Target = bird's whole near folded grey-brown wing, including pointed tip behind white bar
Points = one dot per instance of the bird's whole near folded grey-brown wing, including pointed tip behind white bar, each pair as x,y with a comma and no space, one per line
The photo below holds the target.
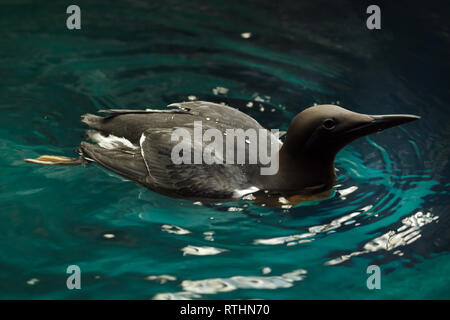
152,166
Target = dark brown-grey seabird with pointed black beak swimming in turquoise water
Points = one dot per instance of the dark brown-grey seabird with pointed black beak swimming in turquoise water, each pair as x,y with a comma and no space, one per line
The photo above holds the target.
139,145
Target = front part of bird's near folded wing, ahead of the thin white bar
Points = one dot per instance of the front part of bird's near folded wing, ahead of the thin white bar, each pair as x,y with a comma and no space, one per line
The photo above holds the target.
188,180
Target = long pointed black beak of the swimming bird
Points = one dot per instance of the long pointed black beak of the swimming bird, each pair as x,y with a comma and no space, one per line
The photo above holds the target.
381,122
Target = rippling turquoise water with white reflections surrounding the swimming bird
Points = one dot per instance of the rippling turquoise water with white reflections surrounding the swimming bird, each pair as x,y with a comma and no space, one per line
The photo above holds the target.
391,205
